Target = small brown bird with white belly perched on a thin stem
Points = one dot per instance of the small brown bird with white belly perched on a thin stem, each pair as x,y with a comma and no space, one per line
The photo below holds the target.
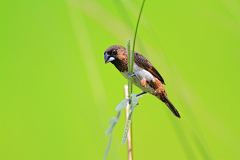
145,76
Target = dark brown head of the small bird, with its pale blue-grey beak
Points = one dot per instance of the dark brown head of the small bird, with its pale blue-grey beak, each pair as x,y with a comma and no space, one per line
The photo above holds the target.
115,53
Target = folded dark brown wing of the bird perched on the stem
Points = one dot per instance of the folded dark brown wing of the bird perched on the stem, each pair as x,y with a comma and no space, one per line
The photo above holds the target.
142,62
